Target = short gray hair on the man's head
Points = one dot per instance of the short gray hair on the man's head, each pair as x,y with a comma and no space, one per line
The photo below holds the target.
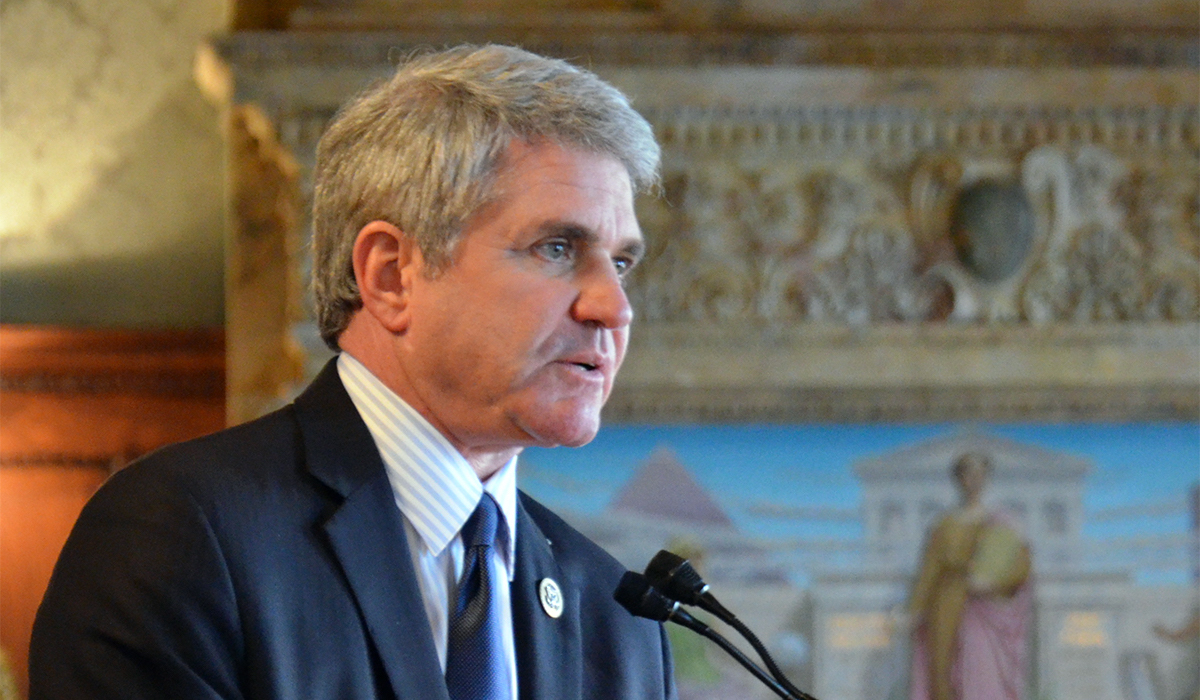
424,149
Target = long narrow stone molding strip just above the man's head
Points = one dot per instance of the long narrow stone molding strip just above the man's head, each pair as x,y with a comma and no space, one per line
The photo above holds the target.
250,52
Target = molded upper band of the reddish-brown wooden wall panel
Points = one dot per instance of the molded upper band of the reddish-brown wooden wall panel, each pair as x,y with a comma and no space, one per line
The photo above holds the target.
92,398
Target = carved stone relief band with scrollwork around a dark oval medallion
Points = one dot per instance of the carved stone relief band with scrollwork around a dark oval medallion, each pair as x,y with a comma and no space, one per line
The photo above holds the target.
997,231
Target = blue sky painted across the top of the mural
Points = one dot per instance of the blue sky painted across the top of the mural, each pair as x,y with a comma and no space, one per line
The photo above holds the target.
1142,472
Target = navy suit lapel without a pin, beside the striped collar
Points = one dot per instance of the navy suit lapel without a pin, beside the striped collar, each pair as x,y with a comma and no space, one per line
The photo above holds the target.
368,537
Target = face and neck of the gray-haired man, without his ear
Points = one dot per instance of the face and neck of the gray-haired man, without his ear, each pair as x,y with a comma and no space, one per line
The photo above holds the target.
518,343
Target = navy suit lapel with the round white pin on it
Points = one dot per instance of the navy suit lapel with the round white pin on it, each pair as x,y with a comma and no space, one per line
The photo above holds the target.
549,660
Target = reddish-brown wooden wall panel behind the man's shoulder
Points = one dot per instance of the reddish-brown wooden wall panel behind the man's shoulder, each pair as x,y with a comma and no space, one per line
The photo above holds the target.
75,406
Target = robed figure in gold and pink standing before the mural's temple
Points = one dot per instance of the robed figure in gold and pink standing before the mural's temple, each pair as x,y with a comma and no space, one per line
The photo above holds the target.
971,606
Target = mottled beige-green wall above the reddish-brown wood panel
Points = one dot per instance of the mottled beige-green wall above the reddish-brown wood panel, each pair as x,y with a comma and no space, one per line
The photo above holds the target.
112,167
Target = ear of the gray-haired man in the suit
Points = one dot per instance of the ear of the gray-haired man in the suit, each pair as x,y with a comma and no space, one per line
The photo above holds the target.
386,262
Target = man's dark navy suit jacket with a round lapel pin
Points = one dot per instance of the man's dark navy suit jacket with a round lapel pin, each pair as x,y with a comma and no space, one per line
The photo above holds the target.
269,561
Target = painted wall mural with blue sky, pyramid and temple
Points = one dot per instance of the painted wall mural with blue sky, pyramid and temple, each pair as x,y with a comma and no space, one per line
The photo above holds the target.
814,536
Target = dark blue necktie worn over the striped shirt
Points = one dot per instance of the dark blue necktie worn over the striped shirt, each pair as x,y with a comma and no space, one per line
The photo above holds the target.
476,667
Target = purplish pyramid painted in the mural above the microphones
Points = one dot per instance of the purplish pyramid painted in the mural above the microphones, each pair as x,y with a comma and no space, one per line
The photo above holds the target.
664,489
